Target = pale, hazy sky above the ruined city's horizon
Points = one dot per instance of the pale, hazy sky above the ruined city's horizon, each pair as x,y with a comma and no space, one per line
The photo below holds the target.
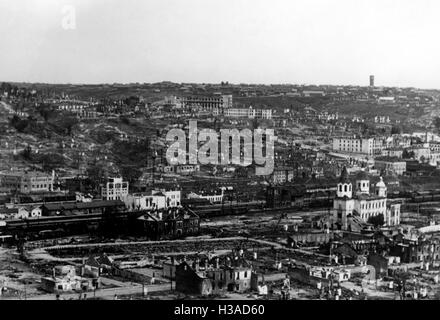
339,42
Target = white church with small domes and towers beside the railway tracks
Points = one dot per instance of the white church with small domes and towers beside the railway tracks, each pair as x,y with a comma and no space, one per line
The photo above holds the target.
357,202
